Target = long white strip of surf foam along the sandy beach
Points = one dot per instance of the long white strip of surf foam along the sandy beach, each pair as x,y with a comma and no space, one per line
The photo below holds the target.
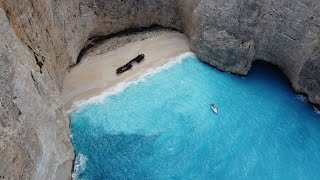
118,88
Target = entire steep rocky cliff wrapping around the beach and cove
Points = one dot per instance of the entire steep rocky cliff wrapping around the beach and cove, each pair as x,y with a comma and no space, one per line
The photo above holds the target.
41,38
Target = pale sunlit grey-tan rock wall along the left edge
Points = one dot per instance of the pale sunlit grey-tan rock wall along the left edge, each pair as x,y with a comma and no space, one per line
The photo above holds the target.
34,139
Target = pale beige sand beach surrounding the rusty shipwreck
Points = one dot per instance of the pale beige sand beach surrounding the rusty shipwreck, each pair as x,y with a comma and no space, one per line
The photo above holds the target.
97,71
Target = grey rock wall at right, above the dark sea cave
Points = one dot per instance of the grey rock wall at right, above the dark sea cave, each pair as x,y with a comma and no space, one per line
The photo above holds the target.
286,33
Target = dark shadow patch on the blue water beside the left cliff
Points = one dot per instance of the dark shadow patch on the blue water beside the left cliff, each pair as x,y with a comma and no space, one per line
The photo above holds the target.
117,156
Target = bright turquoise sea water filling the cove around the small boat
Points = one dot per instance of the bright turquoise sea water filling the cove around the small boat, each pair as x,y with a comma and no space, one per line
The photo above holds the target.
164,128
